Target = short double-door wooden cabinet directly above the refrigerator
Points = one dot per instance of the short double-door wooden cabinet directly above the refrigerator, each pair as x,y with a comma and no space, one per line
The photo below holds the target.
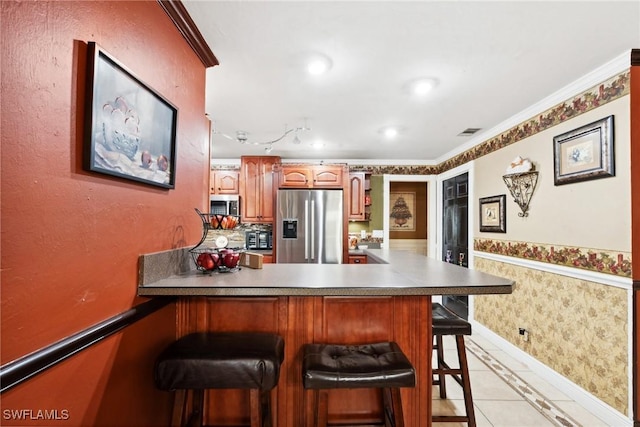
311,176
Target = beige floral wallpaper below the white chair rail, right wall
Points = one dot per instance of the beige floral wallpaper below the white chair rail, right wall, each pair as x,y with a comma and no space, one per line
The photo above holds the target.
577,328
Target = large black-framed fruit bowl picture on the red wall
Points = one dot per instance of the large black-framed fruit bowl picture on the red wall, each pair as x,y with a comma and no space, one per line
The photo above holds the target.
130,129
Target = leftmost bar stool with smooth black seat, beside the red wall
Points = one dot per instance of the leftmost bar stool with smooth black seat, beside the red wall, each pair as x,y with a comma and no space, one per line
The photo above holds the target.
221,360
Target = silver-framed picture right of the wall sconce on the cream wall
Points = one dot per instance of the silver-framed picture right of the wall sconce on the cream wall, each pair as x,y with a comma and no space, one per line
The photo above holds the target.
585,153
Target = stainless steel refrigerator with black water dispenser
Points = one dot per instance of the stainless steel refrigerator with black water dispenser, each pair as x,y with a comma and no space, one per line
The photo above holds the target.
309,226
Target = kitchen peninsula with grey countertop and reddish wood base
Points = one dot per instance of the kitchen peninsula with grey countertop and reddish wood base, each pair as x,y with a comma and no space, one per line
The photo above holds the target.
388,300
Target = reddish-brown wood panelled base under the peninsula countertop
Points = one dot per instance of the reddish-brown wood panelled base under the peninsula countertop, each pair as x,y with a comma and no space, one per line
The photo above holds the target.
307,319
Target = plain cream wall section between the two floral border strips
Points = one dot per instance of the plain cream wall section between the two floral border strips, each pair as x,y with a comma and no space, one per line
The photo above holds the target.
570,214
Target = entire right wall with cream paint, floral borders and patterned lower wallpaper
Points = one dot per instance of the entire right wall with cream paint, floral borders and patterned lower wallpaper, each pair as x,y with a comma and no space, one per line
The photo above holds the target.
578,328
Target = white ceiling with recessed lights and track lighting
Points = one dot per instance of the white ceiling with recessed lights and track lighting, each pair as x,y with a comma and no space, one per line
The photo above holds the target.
492,60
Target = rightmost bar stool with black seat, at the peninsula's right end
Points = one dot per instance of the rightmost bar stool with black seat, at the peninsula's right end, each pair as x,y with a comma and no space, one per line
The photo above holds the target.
446,322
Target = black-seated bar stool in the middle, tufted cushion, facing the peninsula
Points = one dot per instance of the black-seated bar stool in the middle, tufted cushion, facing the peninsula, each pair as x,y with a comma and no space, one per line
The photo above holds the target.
380,365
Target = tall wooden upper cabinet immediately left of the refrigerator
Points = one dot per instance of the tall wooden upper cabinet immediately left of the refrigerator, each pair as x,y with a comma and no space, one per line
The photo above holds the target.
256,188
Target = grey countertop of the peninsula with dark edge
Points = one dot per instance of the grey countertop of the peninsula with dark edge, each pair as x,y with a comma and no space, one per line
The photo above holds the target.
397,273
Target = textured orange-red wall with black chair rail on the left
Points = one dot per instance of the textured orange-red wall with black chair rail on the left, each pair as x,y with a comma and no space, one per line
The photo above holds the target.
71,238
